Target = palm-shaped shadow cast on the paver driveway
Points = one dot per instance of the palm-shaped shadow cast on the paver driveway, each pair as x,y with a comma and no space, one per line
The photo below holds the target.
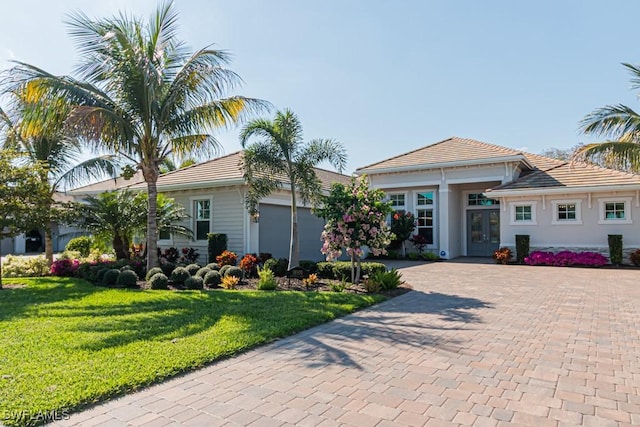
390,326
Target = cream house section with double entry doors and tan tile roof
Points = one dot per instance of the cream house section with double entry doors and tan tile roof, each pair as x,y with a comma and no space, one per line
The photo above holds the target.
471,197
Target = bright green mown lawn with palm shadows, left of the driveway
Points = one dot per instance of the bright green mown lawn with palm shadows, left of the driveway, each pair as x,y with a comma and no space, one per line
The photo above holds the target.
65,344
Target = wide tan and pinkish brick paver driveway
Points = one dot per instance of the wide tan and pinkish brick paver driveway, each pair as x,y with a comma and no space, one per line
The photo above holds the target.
475,344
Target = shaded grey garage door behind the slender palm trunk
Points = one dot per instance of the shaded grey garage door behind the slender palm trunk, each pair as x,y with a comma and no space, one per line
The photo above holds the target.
275,232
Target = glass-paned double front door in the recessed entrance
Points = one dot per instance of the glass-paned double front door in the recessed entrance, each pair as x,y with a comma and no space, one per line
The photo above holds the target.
483,232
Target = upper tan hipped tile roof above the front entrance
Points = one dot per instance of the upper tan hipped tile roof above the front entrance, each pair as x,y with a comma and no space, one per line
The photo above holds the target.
455,150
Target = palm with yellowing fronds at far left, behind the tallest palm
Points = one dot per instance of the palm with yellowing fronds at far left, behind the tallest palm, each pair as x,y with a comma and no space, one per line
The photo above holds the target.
34,129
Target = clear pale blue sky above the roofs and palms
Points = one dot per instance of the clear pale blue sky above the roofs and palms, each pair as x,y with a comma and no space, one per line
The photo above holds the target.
387,77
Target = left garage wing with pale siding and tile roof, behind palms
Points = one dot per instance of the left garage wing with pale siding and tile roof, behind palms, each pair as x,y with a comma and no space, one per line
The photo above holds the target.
213,193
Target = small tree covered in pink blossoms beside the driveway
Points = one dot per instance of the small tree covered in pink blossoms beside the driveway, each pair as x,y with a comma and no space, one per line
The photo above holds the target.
356,217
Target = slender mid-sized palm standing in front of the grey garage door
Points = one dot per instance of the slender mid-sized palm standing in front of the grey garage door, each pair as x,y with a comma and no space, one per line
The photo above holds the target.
281,154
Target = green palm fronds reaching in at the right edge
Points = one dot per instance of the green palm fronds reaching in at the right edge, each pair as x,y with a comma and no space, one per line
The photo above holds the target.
621,126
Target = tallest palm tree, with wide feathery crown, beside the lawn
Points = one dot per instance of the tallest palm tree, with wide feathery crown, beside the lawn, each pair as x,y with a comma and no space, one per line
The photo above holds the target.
143,95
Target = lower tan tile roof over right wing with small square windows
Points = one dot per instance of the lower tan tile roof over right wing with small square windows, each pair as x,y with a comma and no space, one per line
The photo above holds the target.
571,176
